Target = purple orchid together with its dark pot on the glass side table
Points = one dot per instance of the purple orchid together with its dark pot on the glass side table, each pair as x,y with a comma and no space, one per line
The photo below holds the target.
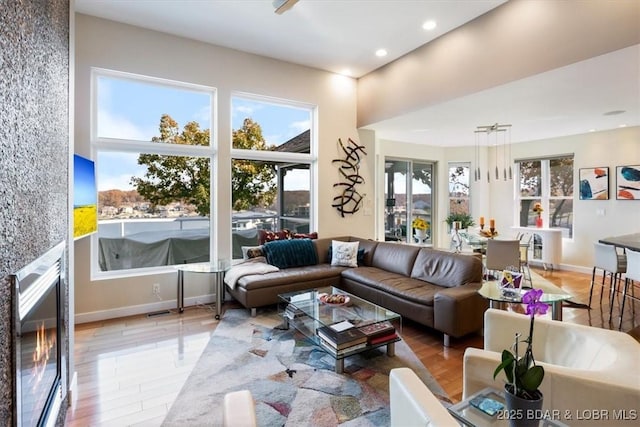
523,375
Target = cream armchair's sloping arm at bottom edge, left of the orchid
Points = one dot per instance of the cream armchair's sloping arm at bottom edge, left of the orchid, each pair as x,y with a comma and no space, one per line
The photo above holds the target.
413,404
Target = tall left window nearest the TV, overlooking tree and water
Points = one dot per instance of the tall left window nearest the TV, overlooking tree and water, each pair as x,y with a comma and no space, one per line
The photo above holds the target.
153,146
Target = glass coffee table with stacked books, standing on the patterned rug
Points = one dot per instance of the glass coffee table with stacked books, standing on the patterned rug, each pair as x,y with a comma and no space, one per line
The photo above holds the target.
306,312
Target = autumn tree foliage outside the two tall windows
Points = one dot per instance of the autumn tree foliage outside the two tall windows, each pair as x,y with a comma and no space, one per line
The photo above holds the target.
187,179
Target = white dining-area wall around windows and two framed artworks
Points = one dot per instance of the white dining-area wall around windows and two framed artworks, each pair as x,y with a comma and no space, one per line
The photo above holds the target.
497,198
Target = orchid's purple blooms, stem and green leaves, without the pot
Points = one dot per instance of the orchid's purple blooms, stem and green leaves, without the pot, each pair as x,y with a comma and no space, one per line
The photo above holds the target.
523,375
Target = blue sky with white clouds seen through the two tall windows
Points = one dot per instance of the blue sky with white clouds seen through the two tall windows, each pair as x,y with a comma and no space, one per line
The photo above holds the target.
132,110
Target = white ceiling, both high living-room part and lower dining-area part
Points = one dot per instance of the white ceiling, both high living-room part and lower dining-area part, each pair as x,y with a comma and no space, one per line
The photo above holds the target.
336,35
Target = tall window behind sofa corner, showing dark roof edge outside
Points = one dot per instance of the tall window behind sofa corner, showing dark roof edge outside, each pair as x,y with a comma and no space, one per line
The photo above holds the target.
272,166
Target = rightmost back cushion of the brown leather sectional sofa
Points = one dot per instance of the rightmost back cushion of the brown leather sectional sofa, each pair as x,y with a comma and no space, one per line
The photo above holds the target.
446,269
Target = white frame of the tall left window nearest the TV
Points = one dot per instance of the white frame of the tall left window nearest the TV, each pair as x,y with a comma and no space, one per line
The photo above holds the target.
100,144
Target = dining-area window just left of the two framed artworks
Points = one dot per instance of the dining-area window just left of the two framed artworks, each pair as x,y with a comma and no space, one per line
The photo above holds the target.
550,183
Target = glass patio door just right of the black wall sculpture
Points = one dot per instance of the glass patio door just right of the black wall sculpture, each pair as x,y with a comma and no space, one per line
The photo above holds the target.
408,195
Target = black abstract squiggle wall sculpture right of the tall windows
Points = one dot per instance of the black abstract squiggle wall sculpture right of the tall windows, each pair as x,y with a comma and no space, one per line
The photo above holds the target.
349,201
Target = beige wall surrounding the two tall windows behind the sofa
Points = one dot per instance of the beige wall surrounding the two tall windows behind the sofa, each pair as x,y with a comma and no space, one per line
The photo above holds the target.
106,44
